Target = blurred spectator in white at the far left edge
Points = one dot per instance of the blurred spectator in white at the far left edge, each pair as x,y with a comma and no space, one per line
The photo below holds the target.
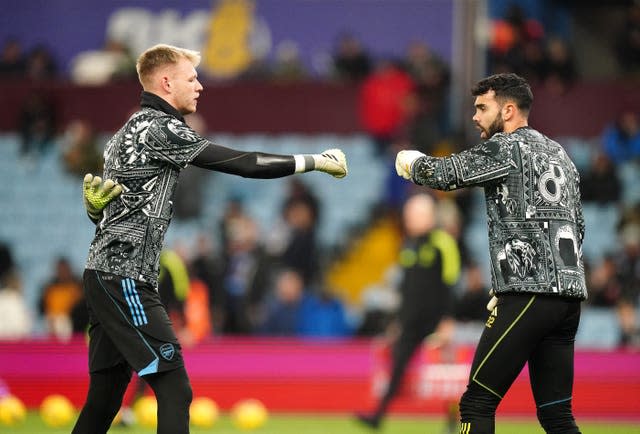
15,317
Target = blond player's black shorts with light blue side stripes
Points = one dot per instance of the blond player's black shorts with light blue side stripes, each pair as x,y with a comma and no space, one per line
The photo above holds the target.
128,324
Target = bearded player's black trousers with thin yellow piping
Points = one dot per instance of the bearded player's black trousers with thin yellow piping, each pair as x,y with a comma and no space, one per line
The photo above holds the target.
523,328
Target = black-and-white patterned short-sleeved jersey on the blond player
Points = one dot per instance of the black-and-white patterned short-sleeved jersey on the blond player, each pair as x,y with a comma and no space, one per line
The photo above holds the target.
145,157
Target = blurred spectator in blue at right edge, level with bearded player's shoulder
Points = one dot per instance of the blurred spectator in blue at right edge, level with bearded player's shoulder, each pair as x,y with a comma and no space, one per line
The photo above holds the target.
621,139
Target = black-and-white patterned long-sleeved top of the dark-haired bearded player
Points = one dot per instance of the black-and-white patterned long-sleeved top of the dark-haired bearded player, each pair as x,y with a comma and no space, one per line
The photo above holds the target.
533,204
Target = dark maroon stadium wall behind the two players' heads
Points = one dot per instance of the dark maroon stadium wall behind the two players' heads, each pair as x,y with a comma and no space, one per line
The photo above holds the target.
305,107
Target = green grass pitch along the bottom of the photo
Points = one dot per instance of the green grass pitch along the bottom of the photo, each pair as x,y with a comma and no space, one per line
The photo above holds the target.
338,424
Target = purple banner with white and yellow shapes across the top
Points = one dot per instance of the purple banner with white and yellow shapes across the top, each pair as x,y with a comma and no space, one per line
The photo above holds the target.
231,33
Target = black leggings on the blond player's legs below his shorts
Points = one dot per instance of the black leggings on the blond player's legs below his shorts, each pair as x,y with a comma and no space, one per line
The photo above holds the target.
107,387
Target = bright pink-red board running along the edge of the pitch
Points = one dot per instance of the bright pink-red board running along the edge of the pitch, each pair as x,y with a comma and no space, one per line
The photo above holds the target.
324,376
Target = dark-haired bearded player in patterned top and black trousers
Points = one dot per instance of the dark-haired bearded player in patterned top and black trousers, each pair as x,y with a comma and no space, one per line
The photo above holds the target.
536,228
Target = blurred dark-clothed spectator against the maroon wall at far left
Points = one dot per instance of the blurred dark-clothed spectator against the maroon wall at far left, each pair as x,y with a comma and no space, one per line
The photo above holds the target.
37,124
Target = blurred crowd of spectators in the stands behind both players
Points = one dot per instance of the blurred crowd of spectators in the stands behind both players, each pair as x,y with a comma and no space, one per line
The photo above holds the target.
273,284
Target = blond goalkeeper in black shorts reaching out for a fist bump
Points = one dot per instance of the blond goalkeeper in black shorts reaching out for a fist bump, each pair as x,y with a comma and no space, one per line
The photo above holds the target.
129,327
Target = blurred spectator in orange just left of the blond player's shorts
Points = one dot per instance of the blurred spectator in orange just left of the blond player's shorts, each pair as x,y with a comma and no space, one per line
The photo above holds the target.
59,296
